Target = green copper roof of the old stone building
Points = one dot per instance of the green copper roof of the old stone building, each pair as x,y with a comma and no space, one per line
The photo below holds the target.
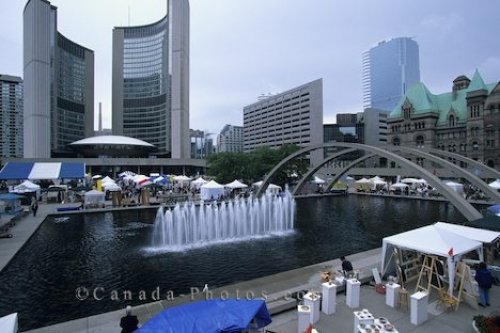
423,101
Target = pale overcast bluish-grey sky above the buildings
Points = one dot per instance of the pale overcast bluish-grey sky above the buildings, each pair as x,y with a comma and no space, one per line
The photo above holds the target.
243,48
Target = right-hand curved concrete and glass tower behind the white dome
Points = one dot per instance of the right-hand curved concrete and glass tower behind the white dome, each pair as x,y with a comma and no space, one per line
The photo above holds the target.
150,84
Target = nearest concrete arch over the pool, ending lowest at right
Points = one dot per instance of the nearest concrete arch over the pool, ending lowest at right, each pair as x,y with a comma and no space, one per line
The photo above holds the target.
458,201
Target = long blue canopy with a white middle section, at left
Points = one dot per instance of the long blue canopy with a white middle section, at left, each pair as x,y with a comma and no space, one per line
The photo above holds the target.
42,170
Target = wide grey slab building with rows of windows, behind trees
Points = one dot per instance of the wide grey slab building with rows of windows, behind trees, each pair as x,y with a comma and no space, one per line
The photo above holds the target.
292,117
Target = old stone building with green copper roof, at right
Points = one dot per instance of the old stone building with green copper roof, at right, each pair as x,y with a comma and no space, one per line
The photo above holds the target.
464,121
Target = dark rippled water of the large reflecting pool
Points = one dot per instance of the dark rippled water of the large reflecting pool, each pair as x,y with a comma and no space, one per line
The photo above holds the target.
107,254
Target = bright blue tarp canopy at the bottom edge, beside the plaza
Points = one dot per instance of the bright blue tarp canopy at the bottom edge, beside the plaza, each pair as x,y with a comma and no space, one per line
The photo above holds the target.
211,316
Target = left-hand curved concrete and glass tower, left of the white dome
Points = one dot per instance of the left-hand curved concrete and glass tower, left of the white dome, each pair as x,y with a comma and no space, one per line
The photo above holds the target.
58,85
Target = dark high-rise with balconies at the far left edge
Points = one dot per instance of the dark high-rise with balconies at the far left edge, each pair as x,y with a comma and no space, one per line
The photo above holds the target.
11,113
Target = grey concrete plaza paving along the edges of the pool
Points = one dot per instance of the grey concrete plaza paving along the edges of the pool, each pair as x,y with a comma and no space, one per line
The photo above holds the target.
275,286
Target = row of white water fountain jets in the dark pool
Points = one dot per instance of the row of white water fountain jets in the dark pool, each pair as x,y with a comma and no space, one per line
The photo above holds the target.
191,225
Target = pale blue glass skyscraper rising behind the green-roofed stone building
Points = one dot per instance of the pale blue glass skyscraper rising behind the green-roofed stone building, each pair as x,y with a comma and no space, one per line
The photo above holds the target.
389,70
